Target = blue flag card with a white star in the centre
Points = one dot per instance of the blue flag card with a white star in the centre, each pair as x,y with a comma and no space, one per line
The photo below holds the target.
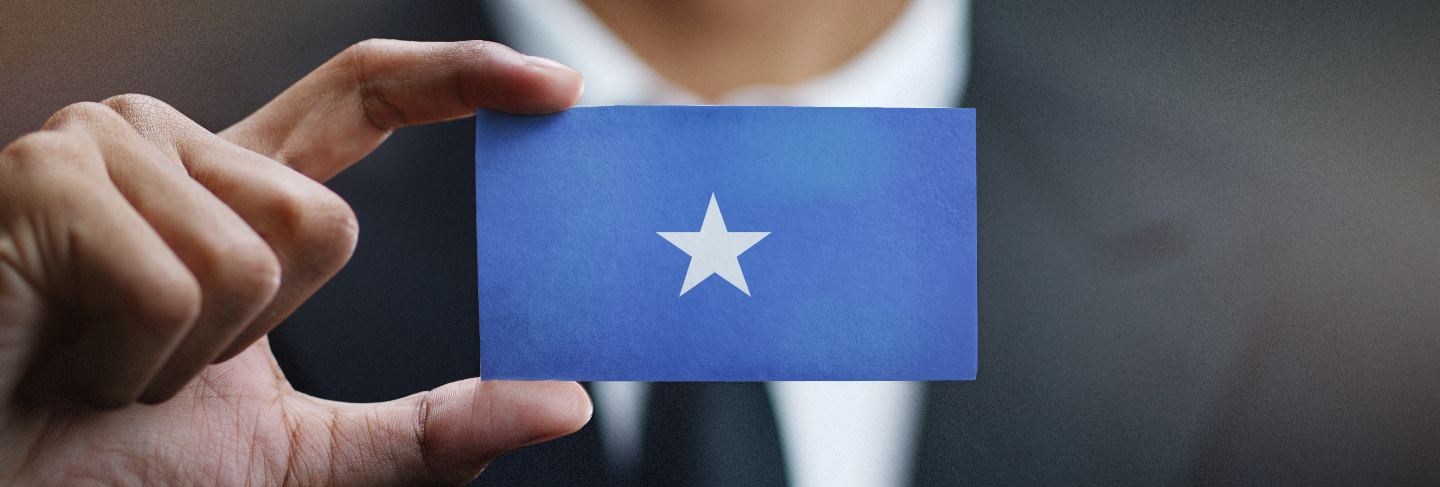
728,244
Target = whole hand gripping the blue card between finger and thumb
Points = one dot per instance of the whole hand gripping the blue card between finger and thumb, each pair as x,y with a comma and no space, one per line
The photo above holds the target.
145,259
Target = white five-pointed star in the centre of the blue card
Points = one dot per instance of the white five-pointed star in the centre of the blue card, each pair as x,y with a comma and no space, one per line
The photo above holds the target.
714,250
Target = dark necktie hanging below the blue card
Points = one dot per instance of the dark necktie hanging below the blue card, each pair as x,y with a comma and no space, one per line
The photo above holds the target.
711,436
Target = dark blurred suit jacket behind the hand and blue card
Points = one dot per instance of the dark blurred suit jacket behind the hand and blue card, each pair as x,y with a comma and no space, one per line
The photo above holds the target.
1209,250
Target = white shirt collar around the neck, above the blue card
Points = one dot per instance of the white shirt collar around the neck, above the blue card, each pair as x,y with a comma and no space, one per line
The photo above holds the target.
921,61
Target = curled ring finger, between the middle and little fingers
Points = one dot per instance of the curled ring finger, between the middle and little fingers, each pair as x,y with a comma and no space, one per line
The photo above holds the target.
237,270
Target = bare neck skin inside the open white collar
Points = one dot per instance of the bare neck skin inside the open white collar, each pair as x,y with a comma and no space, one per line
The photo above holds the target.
716,47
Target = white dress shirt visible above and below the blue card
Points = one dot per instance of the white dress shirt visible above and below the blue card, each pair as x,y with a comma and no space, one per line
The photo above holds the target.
834,433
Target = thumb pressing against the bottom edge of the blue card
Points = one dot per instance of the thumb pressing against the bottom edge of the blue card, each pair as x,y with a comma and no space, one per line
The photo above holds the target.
446,436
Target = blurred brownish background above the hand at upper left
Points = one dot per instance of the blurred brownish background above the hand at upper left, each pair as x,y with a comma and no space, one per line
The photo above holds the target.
214,61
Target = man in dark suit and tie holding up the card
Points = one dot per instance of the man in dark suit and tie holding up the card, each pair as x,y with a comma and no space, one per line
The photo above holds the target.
1206,256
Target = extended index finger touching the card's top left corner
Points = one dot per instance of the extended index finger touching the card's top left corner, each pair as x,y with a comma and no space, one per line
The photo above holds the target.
345,109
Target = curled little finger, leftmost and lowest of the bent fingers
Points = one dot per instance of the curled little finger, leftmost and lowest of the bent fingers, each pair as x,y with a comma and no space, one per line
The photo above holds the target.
123,298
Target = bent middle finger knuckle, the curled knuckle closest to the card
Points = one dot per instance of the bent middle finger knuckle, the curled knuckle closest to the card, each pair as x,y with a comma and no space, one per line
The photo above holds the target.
322,227
